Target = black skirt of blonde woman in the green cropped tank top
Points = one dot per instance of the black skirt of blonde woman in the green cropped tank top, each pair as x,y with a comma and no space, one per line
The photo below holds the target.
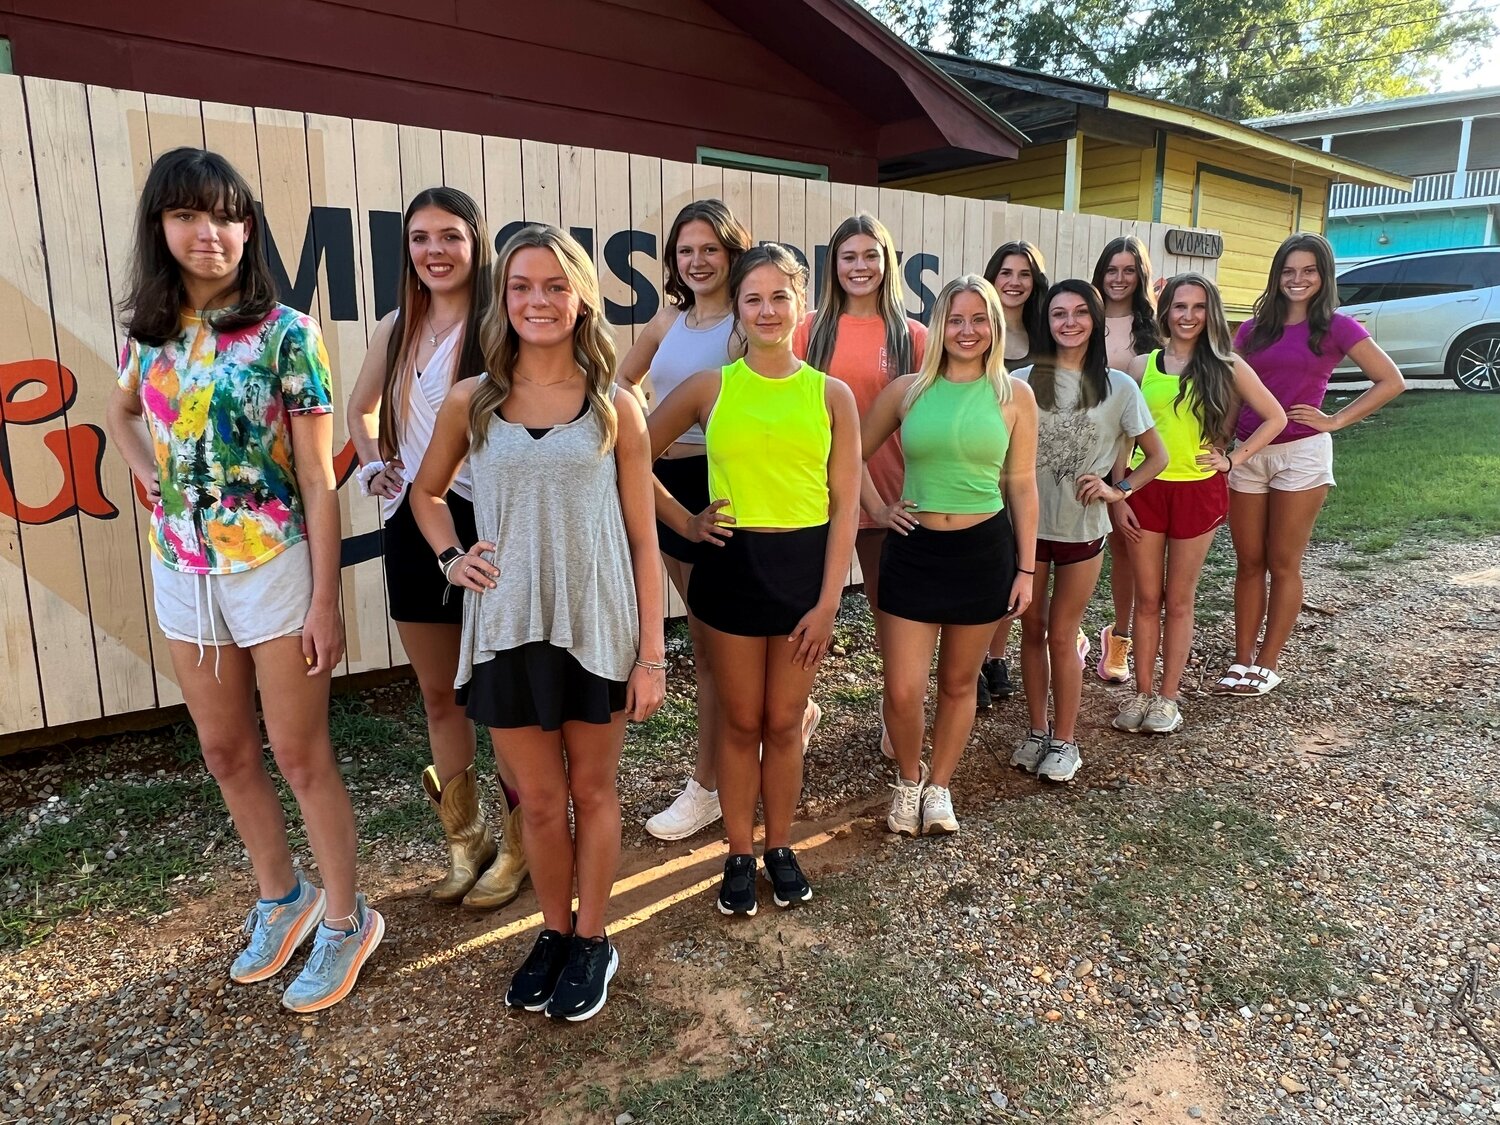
950,578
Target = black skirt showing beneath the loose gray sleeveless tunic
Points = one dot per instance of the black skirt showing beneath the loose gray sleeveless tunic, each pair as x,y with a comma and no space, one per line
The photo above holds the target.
539,685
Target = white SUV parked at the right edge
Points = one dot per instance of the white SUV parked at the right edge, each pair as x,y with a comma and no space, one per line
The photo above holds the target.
1436,313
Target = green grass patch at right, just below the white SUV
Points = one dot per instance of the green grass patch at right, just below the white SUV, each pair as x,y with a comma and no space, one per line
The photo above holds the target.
1423,469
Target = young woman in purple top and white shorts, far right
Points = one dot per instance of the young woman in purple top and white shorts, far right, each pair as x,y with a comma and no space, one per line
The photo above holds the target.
1294,343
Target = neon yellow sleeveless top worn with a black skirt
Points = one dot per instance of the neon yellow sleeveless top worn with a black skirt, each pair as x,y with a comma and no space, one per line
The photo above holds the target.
769,443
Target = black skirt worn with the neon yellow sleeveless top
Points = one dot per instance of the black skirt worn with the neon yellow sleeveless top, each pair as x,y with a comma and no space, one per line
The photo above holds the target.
760,583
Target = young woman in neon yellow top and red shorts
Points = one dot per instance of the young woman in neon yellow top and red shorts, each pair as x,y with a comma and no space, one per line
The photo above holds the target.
1193,388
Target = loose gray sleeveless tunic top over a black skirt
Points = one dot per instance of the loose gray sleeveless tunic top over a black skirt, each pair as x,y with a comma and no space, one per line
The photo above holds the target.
551,506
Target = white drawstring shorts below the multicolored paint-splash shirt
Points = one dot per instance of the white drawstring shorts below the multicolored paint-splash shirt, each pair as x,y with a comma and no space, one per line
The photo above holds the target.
242,610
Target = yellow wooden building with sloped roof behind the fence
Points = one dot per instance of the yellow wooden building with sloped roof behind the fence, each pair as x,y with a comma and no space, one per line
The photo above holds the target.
1103,152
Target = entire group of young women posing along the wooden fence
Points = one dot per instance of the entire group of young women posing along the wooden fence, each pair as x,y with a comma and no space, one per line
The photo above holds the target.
527,482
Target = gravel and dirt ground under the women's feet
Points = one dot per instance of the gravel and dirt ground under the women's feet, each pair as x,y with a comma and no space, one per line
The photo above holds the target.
1297,899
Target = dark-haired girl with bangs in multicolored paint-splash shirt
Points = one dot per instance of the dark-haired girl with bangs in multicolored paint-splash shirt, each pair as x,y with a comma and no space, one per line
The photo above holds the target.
224,415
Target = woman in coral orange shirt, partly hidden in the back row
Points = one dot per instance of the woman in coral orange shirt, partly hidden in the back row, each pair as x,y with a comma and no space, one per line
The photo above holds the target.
863,337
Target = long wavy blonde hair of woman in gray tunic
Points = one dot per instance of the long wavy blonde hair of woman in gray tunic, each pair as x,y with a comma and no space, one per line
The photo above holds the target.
593,344
